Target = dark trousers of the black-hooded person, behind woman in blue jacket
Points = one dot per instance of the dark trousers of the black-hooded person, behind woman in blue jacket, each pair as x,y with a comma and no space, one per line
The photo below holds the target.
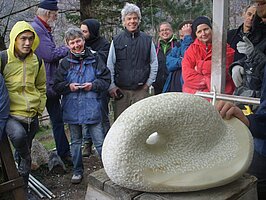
105,118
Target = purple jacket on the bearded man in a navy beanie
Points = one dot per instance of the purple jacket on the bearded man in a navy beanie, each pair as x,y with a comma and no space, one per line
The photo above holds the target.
51,54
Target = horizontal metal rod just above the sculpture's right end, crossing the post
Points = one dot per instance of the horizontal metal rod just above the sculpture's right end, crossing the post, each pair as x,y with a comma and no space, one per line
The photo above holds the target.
240,99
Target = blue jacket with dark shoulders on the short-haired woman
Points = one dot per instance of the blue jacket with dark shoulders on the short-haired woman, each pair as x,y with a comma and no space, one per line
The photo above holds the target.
82,107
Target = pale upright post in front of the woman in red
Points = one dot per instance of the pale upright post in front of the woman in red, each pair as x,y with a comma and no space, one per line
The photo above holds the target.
219,37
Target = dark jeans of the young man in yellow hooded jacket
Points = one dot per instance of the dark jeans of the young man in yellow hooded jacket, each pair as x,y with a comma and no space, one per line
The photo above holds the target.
21,135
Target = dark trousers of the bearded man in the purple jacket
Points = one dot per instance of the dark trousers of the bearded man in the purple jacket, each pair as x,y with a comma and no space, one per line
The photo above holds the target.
54,109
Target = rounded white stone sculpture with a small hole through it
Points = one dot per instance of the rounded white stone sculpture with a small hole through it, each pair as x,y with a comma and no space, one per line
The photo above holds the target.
175,142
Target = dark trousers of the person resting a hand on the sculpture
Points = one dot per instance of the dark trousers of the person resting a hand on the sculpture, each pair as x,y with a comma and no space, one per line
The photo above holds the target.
258,169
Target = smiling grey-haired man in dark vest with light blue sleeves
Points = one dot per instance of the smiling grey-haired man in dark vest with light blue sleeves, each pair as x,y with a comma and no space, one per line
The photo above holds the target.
132,61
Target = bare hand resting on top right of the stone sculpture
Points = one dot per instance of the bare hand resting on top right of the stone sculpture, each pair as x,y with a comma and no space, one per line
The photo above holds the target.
228,110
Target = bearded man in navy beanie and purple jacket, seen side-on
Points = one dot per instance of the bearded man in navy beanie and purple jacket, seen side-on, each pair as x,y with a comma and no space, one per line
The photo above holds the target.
43,24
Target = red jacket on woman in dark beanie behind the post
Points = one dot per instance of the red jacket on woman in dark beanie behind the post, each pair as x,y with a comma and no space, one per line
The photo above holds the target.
196,68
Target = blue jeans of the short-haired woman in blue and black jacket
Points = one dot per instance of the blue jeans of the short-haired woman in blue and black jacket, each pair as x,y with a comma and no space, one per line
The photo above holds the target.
76,142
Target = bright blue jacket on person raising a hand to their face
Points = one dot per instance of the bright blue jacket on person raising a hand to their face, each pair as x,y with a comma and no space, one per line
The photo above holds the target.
174,79
